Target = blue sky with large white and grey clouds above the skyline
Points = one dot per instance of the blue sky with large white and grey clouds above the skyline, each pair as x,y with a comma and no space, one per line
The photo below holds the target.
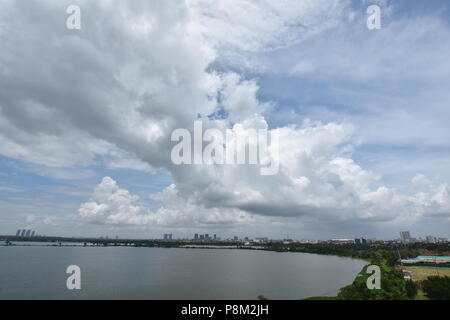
87,116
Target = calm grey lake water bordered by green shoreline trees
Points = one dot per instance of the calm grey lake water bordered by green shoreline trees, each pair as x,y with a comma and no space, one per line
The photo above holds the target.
152,273
